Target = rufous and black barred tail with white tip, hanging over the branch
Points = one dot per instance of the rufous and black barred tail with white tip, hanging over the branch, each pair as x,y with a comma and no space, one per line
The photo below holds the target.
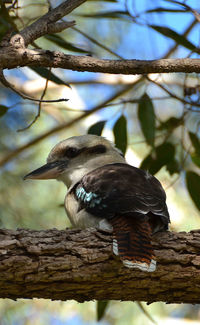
132,242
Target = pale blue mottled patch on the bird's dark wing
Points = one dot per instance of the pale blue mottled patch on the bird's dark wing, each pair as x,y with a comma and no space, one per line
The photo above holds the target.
91,199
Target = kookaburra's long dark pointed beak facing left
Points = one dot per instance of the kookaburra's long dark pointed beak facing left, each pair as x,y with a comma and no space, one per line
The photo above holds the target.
51,170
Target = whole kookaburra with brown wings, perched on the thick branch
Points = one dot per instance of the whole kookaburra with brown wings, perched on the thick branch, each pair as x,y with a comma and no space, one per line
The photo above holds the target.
105,192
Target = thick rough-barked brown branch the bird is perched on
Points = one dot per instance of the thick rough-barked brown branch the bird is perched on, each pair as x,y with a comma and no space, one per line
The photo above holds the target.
77,264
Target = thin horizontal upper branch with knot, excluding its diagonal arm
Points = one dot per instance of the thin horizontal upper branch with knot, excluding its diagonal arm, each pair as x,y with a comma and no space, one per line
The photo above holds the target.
19,56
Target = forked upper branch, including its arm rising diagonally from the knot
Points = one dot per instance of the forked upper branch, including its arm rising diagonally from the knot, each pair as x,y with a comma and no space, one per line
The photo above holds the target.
15,53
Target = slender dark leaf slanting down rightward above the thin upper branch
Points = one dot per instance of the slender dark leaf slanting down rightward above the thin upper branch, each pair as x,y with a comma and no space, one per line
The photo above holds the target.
180,39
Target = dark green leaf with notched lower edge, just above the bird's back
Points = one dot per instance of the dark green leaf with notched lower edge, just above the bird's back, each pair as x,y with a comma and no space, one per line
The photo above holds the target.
163,155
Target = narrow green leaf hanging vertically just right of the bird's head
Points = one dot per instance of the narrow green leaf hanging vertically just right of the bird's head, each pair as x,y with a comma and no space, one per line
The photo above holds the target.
120,134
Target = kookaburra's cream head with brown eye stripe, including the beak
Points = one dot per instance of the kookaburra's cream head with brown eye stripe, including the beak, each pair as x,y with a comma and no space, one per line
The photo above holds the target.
72,158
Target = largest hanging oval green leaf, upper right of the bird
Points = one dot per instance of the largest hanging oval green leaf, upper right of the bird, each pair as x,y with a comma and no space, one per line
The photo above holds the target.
146,117
